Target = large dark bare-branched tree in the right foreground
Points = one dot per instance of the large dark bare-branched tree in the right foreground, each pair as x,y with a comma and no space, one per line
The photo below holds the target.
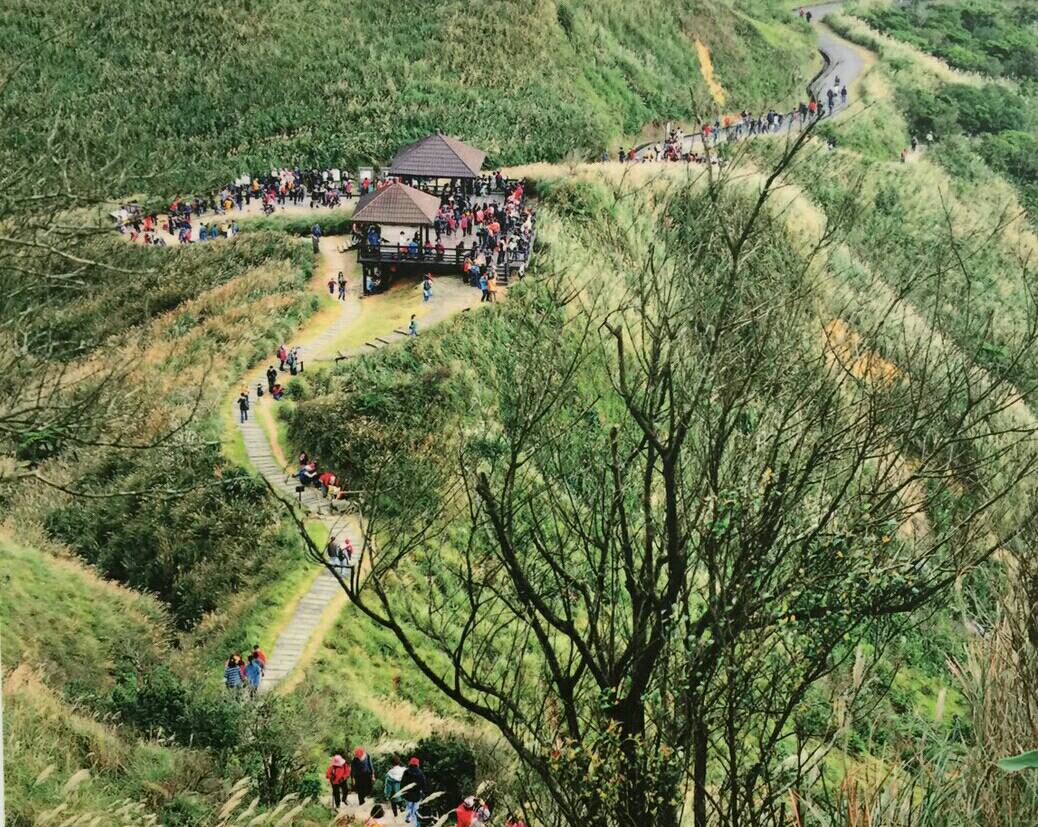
697,508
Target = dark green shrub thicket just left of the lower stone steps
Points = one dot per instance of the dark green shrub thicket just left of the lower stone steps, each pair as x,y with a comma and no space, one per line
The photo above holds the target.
195,550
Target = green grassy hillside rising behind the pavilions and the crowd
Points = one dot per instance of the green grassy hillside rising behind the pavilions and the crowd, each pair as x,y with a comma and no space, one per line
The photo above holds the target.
193,97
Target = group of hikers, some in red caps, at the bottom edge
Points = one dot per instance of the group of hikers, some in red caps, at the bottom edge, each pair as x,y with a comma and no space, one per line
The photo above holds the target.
404,790
